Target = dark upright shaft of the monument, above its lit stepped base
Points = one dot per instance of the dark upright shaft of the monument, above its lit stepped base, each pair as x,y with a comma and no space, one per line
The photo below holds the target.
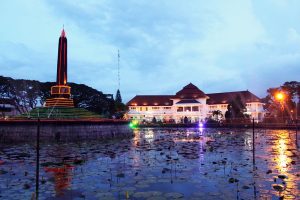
61,77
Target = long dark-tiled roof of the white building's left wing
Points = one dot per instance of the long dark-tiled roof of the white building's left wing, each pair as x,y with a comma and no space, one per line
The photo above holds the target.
151,100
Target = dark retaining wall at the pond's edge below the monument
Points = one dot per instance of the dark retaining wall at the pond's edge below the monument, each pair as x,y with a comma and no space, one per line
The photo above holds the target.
61,132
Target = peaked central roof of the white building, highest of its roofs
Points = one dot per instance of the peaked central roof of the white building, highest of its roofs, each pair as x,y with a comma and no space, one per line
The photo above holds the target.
190,91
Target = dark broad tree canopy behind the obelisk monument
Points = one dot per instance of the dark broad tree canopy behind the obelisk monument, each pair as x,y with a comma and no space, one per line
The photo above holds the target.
28,94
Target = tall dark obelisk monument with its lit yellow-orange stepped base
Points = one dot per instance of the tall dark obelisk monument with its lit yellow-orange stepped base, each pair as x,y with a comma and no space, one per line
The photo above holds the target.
61,92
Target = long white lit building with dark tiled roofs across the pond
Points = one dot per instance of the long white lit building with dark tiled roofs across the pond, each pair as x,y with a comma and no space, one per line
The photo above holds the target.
190,103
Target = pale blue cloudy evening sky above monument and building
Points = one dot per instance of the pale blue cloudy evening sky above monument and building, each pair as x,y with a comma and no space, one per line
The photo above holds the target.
164,44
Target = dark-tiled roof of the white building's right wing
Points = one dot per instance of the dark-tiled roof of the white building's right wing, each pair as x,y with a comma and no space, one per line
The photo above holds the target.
226,97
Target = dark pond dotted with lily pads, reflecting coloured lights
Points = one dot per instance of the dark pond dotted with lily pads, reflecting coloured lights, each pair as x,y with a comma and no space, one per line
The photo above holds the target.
174,163
